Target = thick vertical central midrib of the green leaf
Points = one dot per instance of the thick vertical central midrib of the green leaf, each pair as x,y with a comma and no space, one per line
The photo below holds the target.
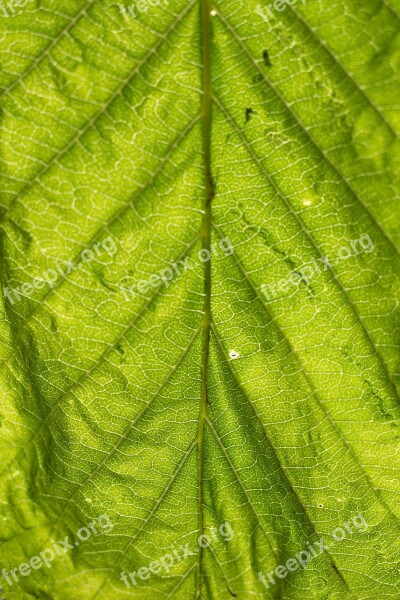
206,111
